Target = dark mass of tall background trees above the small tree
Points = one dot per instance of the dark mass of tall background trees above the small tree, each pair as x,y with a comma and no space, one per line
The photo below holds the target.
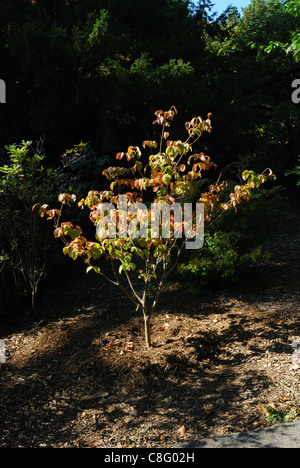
97,70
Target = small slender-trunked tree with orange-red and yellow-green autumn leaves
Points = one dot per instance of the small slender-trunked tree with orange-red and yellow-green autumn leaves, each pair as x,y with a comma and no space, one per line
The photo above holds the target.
143,220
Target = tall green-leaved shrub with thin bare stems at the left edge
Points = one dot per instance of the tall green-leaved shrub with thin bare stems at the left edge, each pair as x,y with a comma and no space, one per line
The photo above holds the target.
23,238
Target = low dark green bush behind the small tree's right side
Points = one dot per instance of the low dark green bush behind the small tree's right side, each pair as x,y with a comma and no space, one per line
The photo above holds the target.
235,241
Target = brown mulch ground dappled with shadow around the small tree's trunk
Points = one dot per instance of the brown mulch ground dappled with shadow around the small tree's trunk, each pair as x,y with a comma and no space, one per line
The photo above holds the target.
218,362
